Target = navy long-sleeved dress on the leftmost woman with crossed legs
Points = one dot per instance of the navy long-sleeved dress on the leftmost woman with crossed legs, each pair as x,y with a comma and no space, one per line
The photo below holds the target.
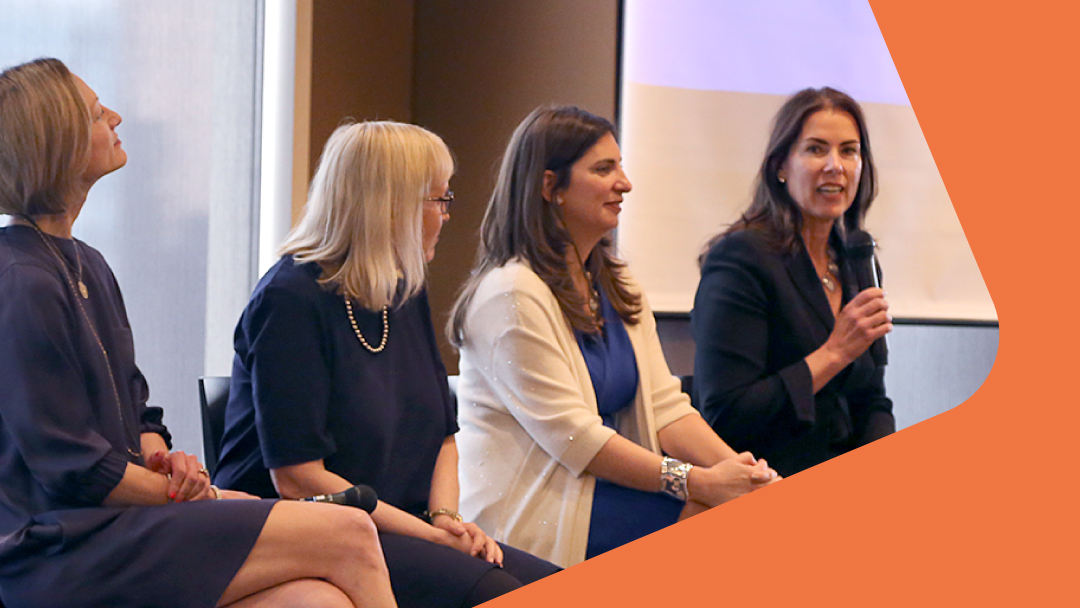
64,447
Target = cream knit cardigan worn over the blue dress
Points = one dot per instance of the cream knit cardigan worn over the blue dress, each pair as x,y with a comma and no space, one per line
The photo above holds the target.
530,423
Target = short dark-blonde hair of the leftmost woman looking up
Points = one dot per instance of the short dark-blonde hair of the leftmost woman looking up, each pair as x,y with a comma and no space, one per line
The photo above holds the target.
45,138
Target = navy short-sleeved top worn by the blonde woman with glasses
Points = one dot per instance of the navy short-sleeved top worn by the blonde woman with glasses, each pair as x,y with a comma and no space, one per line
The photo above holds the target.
305,389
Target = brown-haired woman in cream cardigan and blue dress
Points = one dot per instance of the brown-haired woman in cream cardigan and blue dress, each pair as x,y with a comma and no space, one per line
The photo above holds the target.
575,437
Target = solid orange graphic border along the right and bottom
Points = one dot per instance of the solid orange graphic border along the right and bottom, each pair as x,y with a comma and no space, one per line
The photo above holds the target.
971,507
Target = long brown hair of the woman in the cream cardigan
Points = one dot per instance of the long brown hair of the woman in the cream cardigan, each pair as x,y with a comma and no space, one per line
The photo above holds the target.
521,225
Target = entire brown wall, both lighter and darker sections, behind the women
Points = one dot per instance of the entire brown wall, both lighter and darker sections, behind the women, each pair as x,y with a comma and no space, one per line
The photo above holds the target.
469,71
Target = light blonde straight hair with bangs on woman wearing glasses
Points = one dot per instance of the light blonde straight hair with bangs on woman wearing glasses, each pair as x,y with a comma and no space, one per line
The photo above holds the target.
363,223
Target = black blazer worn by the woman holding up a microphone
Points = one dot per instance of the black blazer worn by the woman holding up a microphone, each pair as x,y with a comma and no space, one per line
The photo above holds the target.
758,315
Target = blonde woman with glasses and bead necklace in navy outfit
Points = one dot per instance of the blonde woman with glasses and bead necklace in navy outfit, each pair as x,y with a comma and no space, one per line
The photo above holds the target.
337,379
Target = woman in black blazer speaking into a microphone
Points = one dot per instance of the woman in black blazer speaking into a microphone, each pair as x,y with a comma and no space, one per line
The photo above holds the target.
782,332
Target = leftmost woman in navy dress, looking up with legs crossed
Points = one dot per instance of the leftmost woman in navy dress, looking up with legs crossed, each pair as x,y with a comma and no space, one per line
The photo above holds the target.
94,509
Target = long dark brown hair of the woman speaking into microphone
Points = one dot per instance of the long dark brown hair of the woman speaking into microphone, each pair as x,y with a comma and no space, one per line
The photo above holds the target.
773,211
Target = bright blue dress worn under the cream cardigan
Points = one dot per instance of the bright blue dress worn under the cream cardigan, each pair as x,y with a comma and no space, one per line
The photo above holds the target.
619,515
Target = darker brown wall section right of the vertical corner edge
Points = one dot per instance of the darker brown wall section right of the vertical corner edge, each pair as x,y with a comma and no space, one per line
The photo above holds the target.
481,67
